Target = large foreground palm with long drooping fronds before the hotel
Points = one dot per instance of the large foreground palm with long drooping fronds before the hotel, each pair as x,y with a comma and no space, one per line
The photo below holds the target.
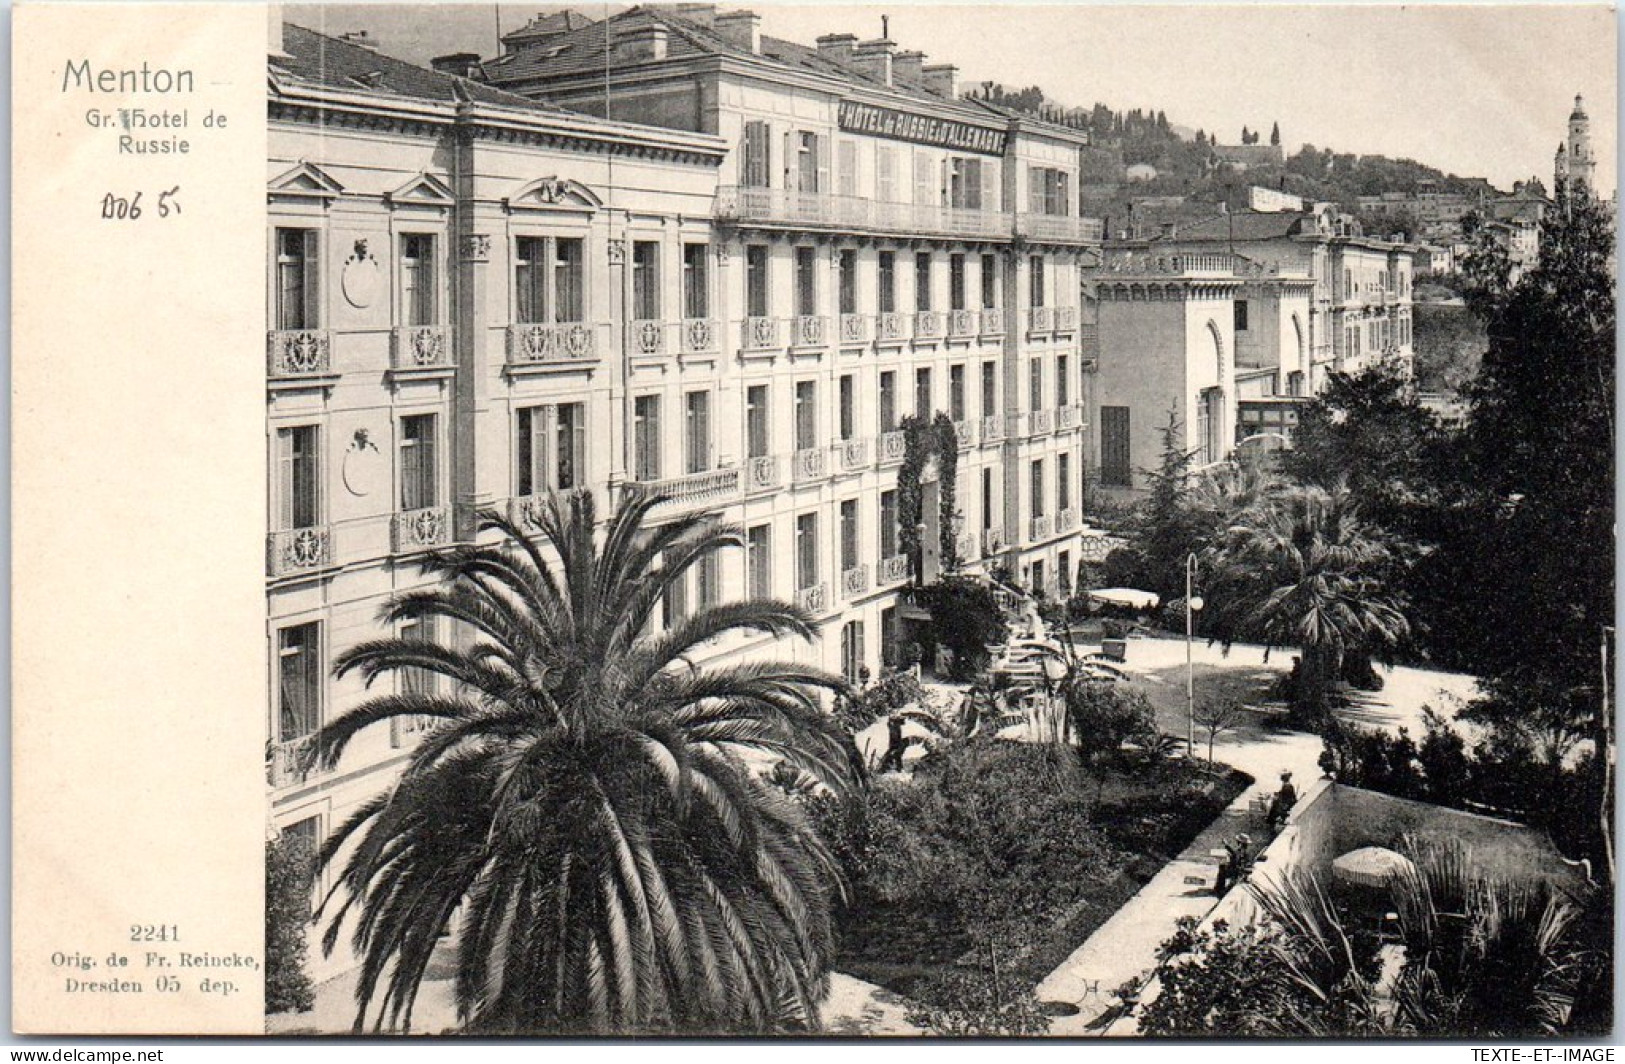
584,798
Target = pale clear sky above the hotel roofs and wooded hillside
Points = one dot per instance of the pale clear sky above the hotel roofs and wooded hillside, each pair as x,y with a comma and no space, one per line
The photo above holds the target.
1473,90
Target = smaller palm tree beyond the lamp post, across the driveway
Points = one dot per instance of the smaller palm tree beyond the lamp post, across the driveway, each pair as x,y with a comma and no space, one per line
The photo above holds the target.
1301,569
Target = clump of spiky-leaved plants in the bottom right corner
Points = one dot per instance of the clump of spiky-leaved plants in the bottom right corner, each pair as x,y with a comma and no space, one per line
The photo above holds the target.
1486,958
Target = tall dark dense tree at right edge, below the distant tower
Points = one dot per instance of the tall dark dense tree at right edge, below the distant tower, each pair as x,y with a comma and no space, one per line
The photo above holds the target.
1541,444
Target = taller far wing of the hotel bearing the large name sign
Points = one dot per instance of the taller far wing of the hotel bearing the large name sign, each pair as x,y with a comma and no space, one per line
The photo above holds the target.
883,248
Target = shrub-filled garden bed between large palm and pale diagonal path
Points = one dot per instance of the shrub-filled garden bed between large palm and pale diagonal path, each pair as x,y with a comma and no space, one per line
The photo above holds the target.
1003,855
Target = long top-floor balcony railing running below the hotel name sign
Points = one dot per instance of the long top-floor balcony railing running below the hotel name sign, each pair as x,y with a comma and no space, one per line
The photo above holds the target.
821,210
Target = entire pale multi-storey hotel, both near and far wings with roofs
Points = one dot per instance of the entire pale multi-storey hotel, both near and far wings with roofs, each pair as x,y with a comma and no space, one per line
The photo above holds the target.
477,298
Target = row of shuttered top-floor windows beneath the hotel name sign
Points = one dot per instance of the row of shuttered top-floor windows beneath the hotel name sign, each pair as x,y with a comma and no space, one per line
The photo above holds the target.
820,165
